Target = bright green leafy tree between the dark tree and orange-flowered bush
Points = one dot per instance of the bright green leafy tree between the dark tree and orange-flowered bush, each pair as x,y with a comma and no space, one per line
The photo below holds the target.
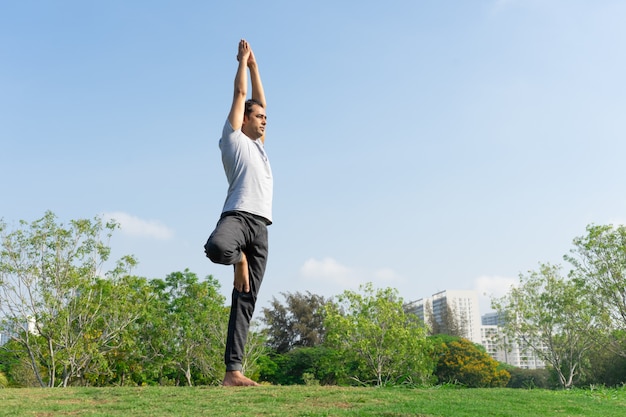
373,329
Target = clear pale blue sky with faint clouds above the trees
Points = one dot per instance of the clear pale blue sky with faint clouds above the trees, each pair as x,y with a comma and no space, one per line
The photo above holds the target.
421,145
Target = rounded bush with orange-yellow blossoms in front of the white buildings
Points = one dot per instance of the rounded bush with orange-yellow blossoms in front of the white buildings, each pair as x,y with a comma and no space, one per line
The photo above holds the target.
461,361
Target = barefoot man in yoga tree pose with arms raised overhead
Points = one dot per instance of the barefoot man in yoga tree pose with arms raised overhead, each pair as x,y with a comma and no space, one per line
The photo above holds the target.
240,237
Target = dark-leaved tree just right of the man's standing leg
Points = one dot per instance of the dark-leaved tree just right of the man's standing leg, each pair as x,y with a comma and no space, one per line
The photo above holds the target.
298,323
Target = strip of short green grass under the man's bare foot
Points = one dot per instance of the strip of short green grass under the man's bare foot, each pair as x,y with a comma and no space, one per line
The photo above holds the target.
310,402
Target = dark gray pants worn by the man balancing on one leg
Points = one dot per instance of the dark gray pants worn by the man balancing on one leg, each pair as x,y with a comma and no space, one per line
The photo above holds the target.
236,233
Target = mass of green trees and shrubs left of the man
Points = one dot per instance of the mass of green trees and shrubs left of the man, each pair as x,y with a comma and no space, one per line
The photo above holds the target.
73,325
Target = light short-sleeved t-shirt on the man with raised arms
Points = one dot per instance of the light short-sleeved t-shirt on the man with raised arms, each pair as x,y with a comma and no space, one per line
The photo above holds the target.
247,168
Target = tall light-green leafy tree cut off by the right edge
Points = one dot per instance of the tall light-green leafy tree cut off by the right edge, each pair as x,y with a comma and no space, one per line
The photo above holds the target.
599,259
